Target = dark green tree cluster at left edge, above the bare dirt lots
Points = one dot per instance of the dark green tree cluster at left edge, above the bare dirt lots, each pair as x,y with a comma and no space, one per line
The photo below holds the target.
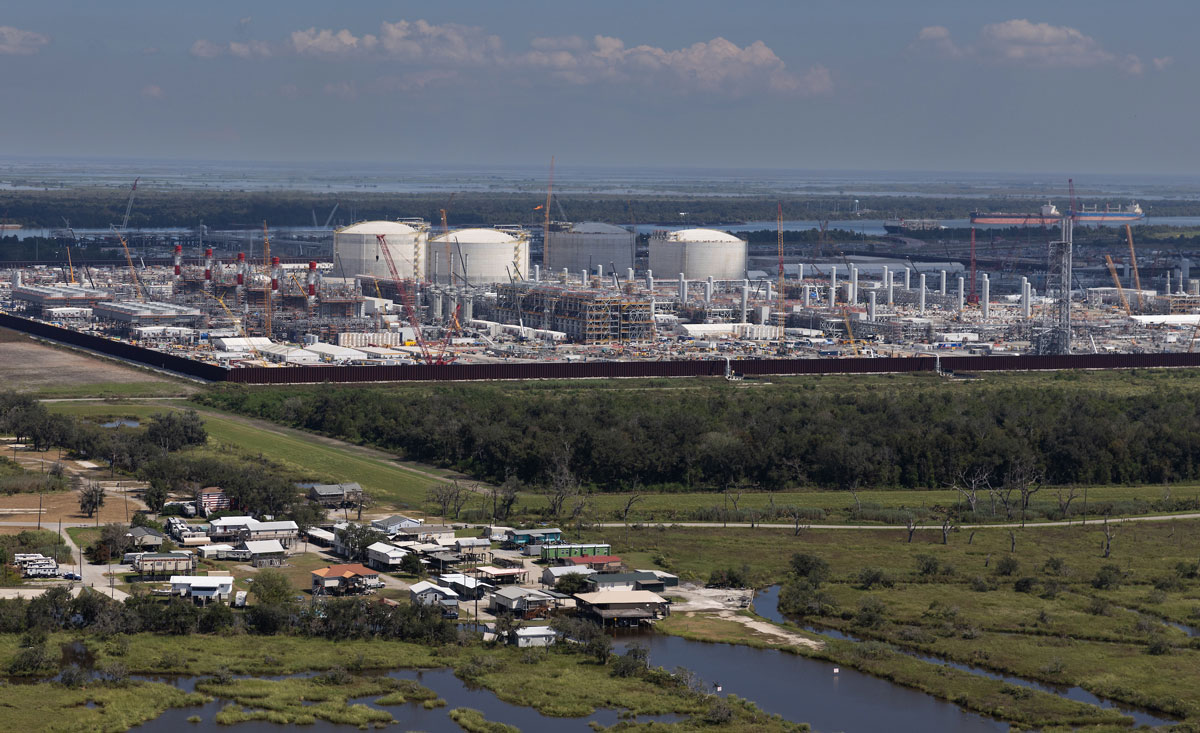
123,449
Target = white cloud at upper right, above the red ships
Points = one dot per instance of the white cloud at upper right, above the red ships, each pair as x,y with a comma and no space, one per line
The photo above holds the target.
1021,43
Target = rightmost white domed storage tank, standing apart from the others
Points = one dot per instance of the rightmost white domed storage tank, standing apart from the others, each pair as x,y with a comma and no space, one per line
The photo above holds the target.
698,254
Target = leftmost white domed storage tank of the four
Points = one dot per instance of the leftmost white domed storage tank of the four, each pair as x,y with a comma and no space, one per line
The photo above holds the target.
357,249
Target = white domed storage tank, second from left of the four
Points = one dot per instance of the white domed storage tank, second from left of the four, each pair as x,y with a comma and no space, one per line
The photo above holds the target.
482,256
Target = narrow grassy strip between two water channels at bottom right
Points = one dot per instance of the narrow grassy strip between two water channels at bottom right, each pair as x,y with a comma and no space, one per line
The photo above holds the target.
1019,706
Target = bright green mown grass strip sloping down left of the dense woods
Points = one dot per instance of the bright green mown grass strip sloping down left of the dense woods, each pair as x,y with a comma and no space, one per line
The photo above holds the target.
387,483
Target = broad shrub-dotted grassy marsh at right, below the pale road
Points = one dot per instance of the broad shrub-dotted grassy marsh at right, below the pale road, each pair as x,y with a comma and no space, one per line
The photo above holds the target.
1054,621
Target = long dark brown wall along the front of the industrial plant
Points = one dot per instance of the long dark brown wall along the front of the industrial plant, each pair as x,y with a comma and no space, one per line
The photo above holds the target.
595,370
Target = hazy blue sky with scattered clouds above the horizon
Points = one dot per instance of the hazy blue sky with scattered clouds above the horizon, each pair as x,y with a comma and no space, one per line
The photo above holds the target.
1023,87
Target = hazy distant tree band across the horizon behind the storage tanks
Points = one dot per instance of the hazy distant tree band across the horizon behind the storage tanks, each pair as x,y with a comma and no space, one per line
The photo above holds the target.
99,208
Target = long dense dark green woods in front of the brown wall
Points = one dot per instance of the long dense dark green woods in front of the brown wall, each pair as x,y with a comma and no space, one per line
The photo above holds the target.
719,440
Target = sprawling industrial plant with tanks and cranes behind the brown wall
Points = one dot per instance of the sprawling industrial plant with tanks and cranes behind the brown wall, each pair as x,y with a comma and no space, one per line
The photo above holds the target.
404,292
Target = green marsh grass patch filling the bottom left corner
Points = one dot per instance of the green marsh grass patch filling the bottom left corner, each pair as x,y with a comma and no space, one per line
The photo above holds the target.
98,708
